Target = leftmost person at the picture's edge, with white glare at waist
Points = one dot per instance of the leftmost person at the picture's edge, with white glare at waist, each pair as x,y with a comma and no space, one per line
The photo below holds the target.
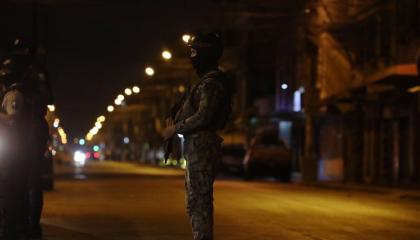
15,120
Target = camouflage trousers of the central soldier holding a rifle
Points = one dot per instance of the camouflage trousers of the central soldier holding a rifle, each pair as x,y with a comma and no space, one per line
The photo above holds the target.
202,153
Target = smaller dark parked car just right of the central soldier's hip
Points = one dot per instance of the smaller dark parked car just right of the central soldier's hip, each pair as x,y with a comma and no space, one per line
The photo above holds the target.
232,158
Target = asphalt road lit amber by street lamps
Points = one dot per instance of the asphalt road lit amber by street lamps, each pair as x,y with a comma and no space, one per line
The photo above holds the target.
124,201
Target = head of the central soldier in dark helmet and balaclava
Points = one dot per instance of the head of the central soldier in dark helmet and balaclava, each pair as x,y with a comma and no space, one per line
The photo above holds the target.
206,50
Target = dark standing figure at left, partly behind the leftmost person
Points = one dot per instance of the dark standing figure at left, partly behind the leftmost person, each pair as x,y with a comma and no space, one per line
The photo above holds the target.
39,96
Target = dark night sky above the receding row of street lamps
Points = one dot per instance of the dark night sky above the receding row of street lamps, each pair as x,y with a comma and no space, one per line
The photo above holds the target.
97,48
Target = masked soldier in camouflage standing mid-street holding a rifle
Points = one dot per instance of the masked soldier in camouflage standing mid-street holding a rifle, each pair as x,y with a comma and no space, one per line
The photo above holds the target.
204,111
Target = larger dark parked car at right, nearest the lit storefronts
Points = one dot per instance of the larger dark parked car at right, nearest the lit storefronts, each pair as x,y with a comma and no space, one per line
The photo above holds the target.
268,156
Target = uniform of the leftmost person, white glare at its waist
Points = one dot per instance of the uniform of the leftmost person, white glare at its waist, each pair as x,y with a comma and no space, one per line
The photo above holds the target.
14,121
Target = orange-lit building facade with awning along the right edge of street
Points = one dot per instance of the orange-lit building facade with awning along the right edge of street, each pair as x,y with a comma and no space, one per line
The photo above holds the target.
358,62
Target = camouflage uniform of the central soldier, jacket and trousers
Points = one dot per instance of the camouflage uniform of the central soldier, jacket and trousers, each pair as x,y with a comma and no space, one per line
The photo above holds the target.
198,120
